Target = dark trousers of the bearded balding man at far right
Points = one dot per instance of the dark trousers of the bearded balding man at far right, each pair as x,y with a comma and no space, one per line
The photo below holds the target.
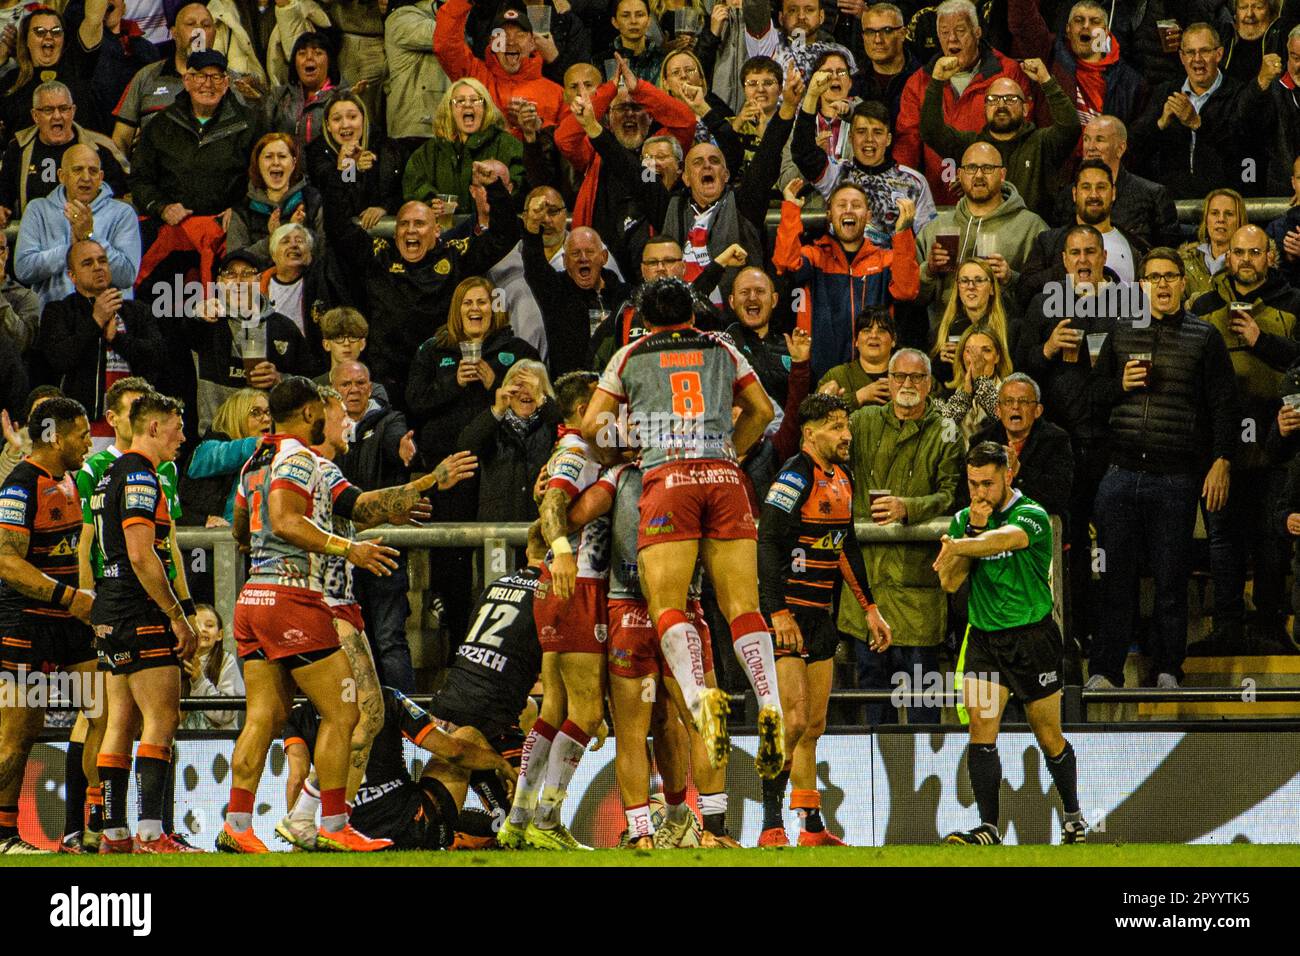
1238,531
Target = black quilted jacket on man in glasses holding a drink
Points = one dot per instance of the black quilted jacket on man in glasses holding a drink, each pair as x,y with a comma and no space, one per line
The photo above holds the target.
1188,416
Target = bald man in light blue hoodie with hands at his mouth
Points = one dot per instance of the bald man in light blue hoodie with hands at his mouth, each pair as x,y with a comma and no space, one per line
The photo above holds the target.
81,207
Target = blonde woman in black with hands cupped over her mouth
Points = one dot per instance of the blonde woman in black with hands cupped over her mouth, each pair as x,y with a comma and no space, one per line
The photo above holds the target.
513,440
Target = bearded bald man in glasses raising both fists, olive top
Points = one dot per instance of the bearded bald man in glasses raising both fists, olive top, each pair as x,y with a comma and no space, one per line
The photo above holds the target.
1033,157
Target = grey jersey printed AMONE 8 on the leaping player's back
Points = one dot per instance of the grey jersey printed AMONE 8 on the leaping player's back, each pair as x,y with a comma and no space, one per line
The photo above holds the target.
678,390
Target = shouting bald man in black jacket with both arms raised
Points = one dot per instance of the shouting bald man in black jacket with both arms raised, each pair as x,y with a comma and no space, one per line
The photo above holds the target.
410,282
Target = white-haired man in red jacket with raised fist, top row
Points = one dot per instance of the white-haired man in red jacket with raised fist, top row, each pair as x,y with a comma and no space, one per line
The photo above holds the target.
964,97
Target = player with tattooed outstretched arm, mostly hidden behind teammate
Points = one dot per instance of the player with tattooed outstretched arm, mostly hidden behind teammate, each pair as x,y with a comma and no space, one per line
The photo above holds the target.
349,624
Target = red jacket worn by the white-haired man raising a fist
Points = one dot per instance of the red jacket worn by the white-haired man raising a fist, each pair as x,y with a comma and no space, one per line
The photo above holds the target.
965,113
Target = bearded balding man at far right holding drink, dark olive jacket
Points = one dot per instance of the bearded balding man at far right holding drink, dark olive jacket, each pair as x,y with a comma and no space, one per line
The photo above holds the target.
1262,344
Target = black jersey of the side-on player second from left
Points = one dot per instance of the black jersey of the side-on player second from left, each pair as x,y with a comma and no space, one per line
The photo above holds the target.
129,494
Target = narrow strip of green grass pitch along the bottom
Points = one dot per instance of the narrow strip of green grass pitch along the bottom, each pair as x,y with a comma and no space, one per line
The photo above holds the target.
1093,855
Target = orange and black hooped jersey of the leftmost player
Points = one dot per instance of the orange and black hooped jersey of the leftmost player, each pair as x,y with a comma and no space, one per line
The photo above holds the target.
47,511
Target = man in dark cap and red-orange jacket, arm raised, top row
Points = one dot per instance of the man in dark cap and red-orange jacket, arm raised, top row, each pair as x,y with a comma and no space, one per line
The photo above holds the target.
513,68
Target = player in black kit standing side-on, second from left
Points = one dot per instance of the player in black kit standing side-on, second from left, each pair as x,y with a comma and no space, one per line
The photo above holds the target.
141,626
